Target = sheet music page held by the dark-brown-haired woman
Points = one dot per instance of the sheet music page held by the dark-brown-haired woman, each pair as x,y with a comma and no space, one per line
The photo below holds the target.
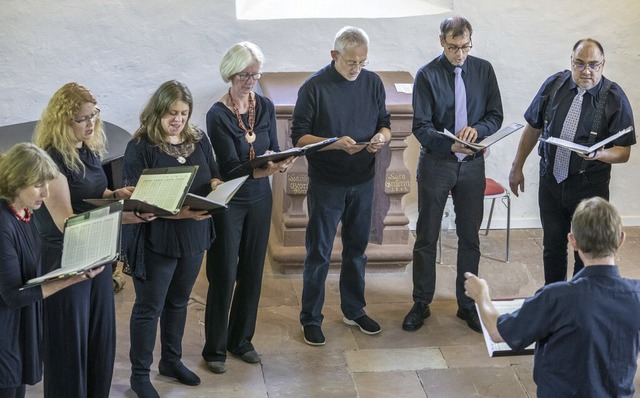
161,190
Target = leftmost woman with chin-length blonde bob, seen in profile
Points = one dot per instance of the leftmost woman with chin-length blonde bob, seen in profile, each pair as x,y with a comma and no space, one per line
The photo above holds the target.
25,174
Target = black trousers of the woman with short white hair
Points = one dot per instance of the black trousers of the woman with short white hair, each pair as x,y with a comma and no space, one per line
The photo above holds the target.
235,264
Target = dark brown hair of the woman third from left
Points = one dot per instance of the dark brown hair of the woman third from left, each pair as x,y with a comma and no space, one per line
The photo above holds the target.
159,104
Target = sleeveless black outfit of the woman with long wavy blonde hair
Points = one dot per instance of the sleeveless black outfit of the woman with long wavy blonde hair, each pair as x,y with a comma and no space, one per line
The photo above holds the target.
79,321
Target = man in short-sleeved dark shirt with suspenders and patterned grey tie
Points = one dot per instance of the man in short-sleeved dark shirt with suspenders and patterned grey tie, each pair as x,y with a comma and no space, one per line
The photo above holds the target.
582,106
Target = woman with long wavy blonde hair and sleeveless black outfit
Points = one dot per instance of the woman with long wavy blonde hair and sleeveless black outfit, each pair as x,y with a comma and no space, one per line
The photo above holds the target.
79,333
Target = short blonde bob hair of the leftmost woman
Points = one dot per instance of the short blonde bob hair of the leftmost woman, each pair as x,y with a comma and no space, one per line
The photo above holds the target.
24,165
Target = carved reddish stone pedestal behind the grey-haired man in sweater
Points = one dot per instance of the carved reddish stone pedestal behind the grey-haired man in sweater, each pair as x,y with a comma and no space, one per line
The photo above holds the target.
391,241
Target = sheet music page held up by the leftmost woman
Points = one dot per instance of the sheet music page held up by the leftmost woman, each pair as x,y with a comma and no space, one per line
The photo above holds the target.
89,241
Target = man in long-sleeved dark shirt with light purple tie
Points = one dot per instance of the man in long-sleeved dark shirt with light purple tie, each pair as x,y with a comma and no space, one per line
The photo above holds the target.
459,93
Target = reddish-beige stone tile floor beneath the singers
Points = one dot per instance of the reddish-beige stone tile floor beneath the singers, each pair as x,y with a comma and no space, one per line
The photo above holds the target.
442,359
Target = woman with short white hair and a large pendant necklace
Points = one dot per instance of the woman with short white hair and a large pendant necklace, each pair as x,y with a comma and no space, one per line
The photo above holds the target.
241,125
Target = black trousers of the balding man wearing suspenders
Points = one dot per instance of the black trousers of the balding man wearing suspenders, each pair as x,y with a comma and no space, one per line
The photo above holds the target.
557,203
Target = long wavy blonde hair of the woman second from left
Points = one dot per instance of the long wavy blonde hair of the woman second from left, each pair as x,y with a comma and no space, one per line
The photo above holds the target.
54,128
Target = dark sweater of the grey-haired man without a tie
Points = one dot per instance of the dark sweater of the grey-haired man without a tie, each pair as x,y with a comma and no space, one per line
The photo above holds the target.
329,105
